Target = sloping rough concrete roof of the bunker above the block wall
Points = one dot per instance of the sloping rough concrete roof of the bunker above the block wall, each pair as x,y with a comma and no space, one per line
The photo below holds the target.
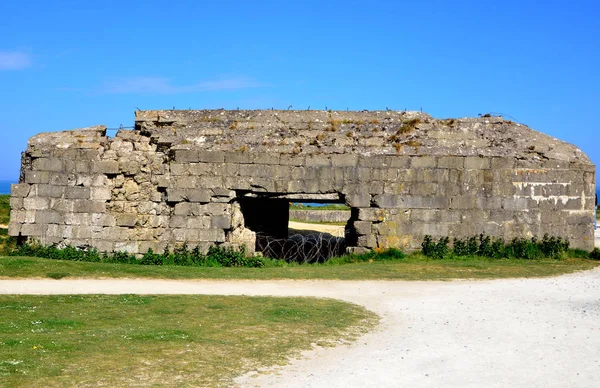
359,132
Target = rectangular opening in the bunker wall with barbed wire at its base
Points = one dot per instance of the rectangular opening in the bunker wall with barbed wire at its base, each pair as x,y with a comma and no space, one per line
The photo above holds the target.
299,231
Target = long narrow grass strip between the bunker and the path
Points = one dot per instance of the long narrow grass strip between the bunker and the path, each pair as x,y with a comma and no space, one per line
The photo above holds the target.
412,267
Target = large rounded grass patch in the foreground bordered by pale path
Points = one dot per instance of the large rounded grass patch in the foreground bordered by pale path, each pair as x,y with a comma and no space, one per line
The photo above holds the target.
129,340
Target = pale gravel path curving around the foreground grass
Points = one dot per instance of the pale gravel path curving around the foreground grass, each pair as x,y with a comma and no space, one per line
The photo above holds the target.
516,332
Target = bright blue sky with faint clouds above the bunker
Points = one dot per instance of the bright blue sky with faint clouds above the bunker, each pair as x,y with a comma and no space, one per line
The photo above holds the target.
69,64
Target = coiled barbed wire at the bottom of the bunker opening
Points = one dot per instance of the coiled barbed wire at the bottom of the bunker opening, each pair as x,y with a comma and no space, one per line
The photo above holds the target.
299,248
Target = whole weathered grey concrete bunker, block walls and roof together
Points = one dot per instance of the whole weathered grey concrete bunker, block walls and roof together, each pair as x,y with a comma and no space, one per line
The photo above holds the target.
194,177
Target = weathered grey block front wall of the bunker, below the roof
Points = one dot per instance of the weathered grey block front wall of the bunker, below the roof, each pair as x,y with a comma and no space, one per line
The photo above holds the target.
147,189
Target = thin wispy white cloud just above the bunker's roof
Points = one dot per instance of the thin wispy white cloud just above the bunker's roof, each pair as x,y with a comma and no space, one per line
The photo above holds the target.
160,85
